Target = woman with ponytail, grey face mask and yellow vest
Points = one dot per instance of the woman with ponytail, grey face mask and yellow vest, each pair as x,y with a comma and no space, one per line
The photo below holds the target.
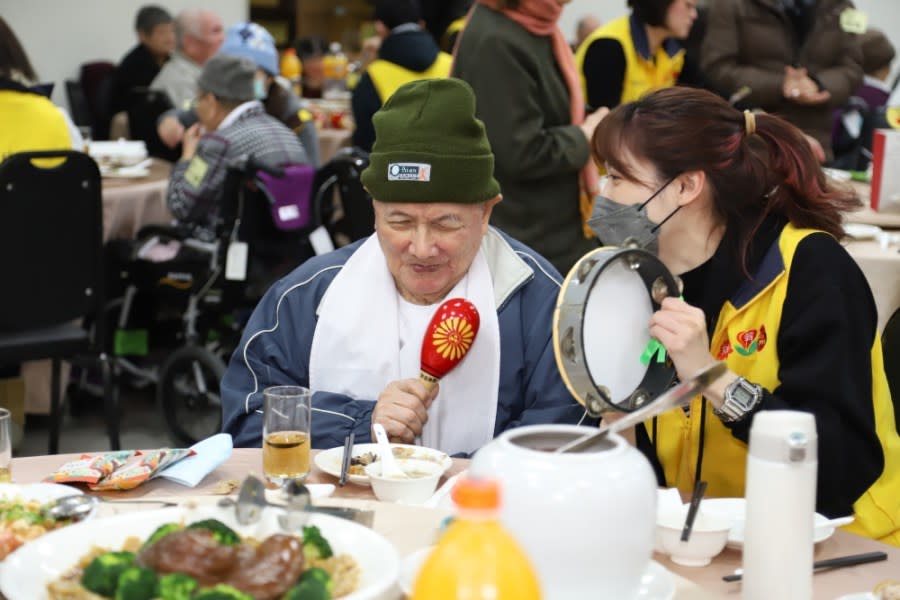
737,206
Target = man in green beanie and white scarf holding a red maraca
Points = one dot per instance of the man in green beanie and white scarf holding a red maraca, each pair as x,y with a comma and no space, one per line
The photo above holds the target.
350,324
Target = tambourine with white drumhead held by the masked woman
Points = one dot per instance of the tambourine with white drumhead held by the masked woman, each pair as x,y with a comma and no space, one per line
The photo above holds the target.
601,329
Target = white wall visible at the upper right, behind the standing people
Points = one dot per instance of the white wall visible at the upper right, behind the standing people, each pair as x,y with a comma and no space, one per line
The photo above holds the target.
883,14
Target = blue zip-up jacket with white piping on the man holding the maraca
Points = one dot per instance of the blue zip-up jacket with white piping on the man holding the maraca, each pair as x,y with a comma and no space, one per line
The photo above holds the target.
276,345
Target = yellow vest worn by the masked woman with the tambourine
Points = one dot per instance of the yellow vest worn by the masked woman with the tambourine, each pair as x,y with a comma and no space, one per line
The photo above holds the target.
745,338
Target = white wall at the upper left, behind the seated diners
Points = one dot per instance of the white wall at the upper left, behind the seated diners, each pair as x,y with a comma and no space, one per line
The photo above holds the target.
60,35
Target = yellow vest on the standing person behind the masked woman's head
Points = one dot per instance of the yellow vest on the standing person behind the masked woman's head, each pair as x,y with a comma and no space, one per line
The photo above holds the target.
641,75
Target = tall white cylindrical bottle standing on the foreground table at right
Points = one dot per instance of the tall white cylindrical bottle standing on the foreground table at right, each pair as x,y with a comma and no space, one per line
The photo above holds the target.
781,504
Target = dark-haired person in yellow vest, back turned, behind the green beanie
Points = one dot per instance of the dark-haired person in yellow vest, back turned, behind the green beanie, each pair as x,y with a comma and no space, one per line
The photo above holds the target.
407,53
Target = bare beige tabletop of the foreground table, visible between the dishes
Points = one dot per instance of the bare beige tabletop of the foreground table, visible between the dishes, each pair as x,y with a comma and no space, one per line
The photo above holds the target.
410,528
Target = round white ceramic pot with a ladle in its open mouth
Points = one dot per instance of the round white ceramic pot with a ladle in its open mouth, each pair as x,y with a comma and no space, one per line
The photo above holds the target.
586,520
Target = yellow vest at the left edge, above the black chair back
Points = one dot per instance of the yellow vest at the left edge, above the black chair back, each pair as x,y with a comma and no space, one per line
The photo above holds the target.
30,122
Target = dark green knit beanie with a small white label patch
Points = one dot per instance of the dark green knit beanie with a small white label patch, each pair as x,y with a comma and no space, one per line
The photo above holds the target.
429,147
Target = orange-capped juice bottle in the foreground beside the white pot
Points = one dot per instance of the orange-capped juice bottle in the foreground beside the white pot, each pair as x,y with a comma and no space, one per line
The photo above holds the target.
476,558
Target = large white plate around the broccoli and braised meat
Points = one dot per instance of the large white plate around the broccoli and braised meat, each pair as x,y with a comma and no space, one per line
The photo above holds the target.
25,573
